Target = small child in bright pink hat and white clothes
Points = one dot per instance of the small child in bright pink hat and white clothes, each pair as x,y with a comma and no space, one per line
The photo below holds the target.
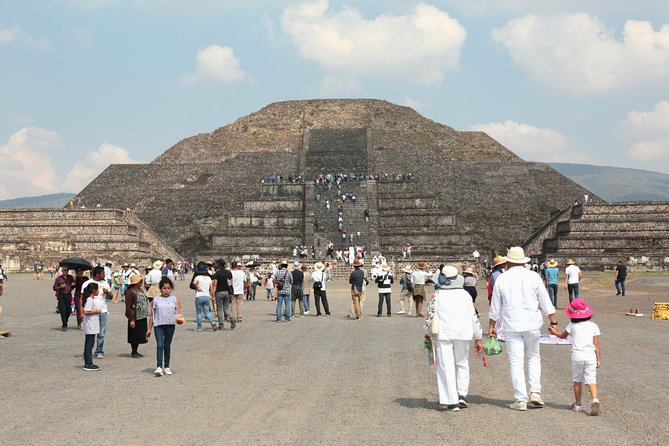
585,354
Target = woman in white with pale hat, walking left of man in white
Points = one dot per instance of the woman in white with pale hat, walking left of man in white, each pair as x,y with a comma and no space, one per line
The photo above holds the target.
455,326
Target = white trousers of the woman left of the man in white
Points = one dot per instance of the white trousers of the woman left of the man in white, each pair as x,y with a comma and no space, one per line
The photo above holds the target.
452,363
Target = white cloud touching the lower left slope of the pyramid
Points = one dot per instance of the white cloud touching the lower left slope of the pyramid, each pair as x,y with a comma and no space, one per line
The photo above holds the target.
92,164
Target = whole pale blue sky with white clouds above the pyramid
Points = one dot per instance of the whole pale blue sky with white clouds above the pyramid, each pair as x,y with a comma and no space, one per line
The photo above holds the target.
86,83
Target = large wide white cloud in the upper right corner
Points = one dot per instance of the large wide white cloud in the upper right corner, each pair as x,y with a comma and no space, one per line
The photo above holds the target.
579,53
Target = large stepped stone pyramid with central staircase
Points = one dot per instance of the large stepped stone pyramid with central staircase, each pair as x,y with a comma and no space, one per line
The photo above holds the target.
207,196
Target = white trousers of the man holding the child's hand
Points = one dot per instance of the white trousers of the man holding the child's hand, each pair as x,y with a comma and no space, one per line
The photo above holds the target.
524,346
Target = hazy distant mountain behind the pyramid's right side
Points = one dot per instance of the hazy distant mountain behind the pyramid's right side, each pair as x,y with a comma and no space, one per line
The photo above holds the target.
616,183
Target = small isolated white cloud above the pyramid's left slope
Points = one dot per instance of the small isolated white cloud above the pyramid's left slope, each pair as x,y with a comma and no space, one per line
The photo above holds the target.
215,64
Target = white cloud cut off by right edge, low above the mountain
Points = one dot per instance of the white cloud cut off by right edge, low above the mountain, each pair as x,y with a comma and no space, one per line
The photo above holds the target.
650,132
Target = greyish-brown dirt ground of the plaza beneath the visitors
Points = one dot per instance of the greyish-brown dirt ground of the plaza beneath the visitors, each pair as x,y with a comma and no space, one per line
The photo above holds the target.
318,380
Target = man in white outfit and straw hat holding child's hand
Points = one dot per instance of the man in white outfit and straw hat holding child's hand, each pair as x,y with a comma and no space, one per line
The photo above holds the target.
517,296
